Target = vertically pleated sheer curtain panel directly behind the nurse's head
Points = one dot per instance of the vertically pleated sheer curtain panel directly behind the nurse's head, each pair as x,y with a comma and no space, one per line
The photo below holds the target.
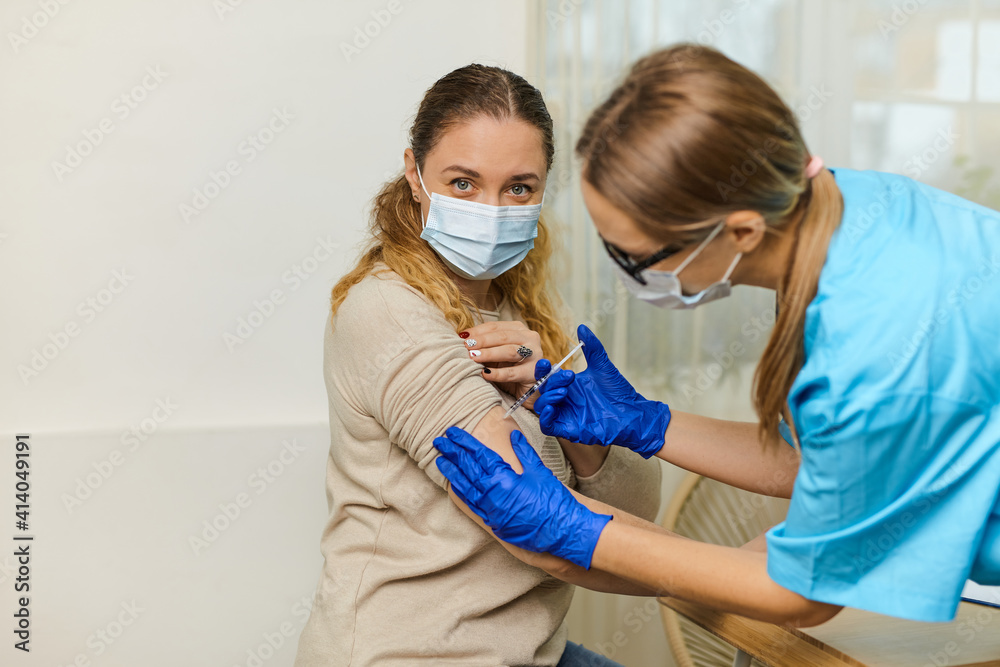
685,357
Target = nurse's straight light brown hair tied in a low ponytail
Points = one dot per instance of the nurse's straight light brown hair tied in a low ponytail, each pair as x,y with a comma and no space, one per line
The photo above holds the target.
691,136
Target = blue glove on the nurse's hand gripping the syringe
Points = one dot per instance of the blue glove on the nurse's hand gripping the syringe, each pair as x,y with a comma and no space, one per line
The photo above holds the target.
599,406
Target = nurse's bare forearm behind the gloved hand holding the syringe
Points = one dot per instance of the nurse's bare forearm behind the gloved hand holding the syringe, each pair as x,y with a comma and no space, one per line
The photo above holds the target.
730,452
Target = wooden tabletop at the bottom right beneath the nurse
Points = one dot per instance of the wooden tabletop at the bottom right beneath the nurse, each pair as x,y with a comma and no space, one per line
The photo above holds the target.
860,638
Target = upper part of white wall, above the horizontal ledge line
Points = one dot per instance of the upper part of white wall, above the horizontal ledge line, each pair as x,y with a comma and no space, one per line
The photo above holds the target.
190,282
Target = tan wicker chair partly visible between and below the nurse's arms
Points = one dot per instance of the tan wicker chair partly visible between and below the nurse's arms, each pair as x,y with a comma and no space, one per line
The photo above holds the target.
711,511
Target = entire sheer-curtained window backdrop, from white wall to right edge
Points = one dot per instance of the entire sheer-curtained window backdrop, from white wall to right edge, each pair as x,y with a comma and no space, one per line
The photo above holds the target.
907,86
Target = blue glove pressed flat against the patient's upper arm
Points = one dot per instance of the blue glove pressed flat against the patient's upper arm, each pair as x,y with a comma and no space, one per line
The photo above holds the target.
533,510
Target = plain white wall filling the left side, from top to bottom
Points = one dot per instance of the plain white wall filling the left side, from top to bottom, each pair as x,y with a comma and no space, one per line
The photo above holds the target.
160,336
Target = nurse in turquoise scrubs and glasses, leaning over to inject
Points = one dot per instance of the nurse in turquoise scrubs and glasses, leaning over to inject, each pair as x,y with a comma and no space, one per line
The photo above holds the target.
883,369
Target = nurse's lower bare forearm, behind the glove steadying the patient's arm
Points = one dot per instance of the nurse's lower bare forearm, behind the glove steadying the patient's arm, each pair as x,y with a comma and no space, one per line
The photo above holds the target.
724,578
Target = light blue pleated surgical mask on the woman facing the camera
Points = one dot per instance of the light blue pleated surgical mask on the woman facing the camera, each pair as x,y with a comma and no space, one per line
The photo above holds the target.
479,241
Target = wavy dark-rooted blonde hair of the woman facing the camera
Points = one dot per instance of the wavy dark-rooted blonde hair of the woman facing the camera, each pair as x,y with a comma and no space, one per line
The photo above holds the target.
396,224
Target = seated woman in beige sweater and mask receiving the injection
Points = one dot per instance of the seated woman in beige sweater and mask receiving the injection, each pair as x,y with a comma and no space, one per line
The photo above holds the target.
440,324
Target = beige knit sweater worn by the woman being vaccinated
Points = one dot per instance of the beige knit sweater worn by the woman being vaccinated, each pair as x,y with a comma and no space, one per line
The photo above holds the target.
408,578
